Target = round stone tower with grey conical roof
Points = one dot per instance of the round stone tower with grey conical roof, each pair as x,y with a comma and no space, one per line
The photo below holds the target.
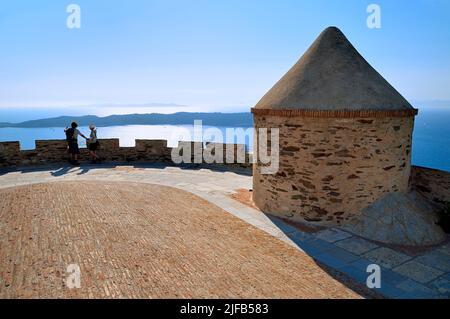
344,133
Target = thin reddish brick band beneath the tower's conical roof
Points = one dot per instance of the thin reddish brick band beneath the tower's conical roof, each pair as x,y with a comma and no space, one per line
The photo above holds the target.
336,113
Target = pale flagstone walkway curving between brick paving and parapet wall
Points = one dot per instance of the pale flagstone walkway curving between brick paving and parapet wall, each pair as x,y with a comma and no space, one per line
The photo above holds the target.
403,275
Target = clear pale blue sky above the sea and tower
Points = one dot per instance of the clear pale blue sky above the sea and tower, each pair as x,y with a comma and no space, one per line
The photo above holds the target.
208,53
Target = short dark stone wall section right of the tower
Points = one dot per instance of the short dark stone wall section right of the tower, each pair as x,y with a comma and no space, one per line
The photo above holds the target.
431,183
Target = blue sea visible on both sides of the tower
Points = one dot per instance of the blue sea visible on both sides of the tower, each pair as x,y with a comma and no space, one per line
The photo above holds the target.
431,138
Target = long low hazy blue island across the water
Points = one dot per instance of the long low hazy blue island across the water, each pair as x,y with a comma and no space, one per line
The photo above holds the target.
181,118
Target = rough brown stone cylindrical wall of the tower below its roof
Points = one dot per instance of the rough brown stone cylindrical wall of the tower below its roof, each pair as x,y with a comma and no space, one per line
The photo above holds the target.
332,168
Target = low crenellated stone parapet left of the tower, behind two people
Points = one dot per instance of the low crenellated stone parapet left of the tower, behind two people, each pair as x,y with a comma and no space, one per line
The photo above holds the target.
153,151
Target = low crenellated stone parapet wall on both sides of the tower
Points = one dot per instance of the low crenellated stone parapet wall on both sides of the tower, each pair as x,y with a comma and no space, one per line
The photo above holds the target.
431,183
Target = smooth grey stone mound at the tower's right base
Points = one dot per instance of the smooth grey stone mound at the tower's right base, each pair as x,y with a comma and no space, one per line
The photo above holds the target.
400,219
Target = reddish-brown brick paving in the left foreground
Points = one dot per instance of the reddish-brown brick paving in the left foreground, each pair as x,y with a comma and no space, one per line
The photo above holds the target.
134,240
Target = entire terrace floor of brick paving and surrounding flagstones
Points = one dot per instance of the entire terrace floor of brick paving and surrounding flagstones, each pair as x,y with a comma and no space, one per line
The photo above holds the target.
133,236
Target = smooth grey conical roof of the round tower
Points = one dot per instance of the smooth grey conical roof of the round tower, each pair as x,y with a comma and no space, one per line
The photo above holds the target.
332,76
